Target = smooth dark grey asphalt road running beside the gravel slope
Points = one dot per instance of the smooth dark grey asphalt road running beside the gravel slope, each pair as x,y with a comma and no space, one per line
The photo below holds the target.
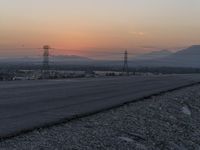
26,105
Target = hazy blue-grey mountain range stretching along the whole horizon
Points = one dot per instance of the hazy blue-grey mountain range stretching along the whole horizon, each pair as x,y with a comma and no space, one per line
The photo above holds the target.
188,57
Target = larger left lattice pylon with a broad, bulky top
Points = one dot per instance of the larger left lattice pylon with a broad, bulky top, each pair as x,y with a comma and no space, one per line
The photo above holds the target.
45,68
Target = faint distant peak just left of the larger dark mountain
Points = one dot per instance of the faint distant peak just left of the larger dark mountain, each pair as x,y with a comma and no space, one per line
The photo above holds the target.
153,55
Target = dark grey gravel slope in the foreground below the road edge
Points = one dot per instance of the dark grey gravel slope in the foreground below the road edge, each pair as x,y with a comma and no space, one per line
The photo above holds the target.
170,121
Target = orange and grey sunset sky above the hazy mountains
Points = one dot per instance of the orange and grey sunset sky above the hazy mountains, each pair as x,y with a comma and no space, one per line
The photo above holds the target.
97,25
